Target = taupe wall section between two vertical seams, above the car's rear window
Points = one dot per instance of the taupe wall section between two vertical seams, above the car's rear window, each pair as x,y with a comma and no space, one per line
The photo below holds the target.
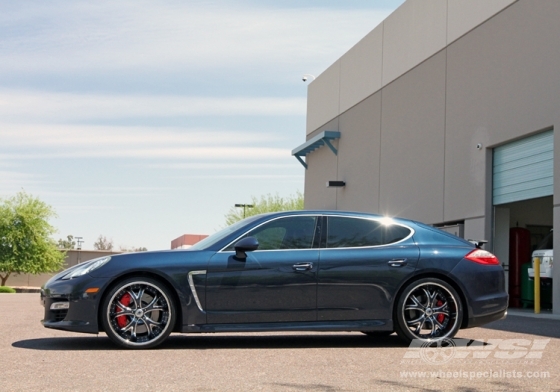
412,143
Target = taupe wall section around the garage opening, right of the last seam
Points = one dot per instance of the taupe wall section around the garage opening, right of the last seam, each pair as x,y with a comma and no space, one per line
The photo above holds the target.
501,86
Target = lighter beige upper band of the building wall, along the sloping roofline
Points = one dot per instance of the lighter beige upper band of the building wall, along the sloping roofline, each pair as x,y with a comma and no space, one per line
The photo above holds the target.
413,33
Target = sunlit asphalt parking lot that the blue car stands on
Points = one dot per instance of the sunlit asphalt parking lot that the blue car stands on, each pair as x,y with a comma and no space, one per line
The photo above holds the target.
517,353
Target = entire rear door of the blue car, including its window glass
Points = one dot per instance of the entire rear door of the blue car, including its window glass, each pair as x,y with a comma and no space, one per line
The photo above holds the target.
363,264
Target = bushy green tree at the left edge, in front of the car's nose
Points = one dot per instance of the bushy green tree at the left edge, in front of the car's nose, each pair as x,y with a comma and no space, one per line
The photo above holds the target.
26,246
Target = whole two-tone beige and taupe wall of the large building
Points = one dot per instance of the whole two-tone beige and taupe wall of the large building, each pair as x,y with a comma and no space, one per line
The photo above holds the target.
458,78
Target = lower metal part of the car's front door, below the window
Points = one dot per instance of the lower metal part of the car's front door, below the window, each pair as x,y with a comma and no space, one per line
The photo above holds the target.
270,286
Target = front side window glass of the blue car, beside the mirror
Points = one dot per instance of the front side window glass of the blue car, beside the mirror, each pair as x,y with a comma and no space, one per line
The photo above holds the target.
295,232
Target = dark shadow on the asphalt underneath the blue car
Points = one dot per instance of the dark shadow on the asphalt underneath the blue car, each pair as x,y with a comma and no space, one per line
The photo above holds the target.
221,341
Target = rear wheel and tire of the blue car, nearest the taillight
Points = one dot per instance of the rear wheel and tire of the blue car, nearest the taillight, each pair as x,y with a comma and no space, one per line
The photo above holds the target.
428,309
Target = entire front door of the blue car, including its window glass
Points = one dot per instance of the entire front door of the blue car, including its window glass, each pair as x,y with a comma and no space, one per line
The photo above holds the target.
277,283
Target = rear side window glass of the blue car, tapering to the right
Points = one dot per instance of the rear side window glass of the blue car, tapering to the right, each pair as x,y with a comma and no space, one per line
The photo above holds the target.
344,232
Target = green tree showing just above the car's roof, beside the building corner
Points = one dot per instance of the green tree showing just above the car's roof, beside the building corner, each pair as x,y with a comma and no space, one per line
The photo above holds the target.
268,203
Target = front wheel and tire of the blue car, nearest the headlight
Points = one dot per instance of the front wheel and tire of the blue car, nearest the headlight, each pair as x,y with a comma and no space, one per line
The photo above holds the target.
138,313
